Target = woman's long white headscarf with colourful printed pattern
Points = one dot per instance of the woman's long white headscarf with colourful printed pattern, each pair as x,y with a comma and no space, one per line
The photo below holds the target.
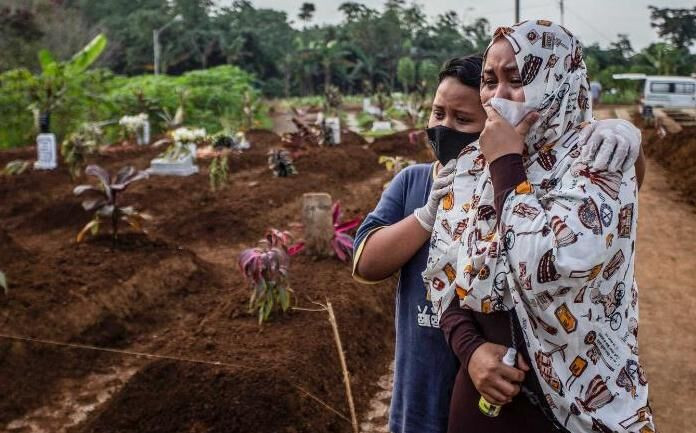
564,249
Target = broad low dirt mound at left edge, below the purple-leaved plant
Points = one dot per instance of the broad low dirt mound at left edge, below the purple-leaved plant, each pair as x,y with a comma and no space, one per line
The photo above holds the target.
89,294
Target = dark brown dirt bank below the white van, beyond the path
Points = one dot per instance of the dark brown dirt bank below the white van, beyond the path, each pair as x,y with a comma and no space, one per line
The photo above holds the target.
677,153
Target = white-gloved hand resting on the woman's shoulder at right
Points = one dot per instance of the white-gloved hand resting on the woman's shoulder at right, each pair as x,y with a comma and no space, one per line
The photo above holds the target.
611,145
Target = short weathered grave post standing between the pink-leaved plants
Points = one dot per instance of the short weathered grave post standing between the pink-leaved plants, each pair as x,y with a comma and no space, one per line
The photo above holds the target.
318,224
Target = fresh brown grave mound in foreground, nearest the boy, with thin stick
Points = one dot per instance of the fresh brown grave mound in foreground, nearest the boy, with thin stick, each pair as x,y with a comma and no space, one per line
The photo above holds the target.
295,350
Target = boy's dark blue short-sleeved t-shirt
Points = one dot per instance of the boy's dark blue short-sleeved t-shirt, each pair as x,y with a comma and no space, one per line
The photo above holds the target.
425,367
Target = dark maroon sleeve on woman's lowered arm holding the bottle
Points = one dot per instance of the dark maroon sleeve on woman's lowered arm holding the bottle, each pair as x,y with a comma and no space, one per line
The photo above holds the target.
461,331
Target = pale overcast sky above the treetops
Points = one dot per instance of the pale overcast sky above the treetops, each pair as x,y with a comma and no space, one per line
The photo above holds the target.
592,20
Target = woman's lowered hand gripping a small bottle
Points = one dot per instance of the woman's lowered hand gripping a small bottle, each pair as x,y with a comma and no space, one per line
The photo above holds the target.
495,381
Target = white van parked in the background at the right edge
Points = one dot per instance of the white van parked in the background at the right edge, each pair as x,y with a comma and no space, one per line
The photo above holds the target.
662,91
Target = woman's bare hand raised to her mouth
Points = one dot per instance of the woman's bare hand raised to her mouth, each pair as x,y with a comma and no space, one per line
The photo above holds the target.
500,138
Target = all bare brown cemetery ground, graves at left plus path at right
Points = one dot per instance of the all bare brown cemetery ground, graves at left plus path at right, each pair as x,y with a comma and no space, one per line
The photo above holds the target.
178,292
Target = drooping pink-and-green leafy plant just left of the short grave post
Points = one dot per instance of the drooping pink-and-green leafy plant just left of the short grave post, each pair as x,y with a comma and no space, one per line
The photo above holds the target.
265,269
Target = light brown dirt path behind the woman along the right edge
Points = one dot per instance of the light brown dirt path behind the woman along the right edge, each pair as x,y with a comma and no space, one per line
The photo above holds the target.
665,265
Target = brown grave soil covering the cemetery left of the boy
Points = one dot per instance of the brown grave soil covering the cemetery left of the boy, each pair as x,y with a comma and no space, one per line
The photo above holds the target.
178,292
